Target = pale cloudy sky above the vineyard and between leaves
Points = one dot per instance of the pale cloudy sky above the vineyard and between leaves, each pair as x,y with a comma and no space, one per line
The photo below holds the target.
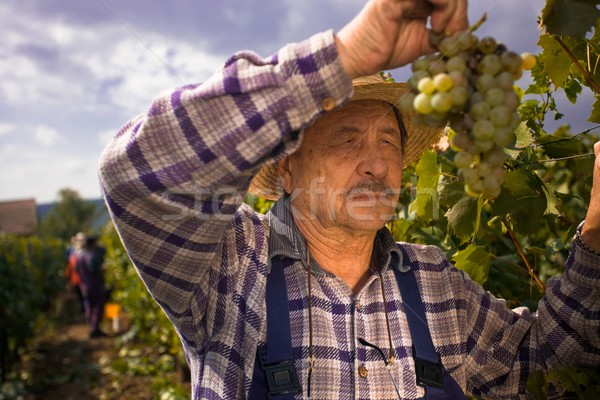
73,71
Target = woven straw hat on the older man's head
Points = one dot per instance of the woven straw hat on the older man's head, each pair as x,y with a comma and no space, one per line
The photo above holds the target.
373,87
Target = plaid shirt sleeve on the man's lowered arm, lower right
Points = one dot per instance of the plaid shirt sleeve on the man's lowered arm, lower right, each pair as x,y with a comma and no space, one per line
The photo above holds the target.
505,346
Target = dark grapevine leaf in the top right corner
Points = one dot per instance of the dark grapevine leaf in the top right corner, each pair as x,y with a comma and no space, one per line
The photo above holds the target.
570,17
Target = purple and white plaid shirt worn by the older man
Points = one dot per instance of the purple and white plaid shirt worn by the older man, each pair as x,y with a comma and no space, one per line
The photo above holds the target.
174,180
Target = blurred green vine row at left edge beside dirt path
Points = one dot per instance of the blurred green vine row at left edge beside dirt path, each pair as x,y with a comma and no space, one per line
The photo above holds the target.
31,277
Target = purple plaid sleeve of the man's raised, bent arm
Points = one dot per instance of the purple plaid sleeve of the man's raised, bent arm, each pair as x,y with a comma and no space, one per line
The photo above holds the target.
174,177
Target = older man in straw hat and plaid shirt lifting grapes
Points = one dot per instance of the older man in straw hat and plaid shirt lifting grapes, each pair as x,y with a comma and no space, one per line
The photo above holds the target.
315,299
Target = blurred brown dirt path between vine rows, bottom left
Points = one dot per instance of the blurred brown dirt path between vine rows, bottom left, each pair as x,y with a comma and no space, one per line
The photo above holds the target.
64,363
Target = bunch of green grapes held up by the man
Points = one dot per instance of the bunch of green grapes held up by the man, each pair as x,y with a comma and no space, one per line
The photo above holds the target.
469,85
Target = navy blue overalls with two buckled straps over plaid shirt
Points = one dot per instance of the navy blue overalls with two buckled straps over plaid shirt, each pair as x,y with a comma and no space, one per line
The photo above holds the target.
275,375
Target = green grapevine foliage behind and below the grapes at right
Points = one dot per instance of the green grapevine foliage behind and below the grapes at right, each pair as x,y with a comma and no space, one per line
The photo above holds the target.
513,244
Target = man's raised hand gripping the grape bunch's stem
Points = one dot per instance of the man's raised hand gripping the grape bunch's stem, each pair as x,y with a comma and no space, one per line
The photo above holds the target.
387,34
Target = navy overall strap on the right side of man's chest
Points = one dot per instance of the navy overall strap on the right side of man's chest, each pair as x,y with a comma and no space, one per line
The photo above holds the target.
429,370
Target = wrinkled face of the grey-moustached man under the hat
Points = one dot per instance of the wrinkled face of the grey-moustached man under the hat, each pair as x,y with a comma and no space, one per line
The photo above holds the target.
348,171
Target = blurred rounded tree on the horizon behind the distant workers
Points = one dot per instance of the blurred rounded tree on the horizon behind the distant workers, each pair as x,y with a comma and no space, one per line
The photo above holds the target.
70,214
